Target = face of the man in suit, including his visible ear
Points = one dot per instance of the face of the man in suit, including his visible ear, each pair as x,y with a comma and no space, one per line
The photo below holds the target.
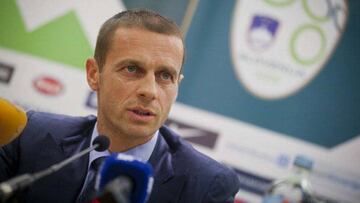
138,83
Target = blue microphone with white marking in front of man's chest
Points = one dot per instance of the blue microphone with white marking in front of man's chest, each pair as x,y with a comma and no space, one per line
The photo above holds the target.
123,178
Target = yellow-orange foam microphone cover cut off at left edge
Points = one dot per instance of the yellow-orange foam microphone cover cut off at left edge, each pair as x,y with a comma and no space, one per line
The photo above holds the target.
12,121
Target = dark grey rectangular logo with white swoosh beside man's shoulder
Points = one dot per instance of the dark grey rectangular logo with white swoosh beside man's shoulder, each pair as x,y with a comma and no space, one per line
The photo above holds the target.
194,134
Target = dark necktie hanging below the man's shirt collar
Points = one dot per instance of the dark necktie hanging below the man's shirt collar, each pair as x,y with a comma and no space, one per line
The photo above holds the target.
88,191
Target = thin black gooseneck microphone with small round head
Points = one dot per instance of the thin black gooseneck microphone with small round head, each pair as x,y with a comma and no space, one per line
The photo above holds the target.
8,188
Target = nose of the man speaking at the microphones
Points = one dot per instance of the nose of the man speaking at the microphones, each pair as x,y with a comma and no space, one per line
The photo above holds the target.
147,89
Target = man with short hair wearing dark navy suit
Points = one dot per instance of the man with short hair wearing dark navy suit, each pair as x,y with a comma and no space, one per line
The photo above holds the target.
136,72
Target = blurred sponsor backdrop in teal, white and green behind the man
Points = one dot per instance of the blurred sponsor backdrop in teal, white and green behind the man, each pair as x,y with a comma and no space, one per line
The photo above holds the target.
265,80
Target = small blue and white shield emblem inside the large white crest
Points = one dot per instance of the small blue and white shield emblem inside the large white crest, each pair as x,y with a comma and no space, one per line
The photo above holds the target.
262,32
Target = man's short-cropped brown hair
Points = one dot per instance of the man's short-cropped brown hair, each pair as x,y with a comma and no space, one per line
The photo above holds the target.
143,19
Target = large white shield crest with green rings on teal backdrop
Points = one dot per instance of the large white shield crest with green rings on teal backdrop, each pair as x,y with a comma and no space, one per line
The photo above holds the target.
279,46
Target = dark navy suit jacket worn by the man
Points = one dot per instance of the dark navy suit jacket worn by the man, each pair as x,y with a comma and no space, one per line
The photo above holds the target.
182,174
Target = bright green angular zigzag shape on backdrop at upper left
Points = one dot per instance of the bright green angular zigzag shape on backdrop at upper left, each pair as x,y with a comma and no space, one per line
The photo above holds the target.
62,40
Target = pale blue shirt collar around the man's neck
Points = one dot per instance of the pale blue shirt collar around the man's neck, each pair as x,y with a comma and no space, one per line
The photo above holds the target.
142,152
